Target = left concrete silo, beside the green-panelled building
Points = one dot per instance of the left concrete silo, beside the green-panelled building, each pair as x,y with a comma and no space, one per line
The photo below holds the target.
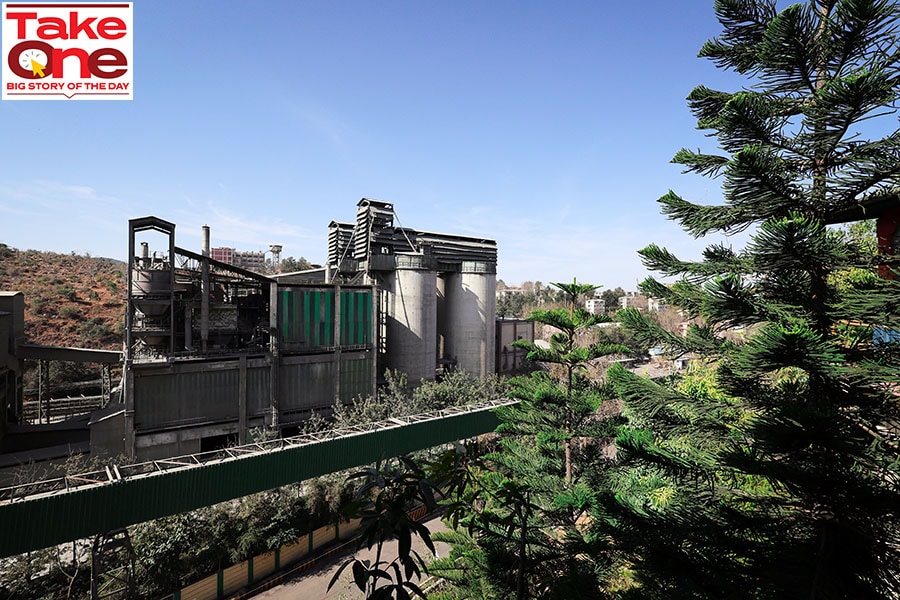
411,315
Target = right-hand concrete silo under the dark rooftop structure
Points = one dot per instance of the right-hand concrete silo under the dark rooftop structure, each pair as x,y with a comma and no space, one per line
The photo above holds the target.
470,309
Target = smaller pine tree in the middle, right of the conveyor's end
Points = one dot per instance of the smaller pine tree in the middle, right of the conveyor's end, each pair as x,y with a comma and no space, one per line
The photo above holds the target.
526,504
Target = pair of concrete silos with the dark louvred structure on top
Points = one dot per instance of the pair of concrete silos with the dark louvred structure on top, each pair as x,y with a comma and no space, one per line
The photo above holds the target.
437,291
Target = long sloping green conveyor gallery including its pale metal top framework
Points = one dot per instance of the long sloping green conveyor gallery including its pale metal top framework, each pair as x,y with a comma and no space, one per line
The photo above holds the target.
44,513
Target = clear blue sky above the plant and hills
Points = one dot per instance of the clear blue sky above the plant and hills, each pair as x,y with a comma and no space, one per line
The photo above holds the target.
547,126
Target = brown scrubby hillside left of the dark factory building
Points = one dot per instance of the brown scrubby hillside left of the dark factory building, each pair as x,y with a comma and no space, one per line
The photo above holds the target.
70,300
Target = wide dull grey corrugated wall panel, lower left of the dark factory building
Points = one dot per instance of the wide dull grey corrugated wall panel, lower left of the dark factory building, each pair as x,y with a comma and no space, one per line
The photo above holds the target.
169,397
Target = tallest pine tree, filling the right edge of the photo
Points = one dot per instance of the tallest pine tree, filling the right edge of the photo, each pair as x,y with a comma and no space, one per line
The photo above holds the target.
780,478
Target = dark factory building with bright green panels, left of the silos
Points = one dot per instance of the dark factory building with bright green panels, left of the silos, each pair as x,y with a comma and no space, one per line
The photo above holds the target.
213,351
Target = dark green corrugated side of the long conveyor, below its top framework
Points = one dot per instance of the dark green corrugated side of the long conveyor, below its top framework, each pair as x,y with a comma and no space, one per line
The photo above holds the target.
48,520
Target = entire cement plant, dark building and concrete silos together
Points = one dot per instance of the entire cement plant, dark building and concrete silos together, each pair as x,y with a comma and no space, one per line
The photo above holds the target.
213,350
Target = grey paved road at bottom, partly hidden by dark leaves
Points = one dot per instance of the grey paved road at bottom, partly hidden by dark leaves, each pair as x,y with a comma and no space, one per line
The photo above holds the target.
314,585
